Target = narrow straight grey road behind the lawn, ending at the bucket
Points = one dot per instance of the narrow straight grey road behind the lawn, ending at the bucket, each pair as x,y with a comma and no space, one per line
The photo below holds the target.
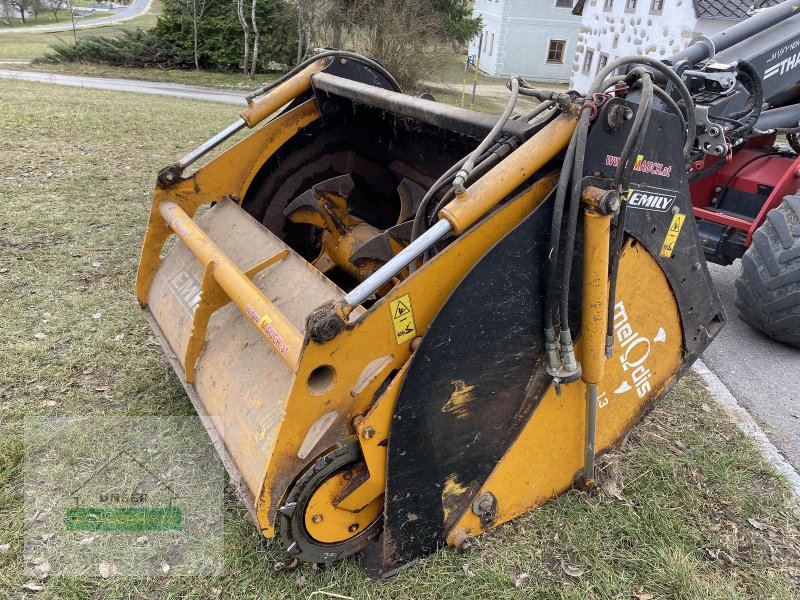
192,92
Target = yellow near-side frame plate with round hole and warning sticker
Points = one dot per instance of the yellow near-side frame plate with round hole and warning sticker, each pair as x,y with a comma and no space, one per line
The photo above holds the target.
430,286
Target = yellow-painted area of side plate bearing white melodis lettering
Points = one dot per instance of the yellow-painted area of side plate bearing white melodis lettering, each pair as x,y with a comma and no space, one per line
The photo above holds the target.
548,452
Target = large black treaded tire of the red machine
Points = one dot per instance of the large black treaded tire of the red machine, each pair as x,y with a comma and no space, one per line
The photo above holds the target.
768,289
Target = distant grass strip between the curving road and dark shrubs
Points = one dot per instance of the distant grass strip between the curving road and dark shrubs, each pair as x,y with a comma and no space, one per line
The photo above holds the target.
28,45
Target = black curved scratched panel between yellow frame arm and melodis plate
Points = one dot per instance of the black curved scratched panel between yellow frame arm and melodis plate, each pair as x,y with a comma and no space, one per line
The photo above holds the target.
473,383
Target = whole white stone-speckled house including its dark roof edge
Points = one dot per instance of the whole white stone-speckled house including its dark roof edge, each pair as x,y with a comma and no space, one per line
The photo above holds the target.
656,28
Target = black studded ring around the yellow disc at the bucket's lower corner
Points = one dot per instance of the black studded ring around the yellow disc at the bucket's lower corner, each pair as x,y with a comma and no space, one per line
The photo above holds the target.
291,515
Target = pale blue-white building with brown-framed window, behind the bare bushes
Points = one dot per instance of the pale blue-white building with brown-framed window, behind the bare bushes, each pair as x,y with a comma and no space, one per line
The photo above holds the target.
532,38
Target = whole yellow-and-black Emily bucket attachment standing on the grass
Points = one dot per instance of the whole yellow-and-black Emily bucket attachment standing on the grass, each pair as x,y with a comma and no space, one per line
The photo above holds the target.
365,340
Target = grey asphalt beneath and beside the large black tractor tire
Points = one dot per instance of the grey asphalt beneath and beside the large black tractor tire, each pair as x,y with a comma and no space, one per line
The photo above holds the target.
763,375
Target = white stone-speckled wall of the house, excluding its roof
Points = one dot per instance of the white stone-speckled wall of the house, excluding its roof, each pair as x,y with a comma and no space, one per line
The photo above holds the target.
618,32
